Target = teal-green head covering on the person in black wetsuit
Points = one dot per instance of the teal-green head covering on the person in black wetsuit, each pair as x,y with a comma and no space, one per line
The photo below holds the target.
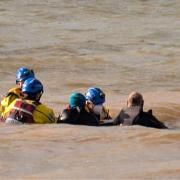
77,100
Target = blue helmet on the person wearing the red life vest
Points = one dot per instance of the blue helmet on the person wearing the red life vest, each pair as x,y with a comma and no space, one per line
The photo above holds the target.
32,86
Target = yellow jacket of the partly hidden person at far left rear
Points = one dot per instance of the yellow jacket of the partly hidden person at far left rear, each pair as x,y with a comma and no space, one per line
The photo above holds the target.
12,94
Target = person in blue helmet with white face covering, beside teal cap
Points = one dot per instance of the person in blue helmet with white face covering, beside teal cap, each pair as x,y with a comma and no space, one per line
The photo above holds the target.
95,99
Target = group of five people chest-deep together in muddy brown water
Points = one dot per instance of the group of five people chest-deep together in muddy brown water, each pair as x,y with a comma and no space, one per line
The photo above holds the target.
22,105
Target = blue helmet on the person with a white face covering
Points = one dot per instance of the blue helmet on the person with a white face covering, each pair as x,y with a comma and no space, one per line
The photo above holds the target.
95,95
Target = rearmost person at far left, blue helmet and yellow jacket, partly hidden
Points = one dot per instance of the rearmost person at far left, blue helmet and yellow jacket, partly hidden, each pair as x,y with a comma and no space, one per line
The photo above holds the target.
22,74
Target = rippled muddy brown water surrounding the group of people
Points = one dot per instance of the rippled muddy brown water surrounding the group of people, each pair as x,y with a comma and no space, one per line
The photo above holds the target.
118,45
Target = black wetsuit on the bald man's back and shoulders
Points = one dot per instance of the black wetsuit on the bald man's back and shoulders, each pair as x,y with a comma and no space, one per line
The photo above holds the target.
135,116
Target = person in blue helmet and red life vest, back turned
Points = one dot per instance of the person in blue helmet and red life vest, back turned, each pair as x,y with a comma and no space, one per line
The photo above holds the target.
29,108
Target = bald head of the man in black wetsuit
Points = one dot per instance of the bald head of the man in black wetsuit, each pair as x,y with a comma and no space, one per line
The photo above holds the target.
135,99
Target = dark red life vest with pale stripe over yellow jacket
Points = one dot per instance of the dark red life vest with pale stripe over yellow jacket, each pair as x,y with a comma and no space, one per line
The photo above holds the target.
22,111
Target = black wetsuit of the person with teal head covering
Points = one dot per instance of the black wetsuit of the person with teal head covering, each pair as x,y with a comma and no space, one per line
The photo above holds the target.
72,116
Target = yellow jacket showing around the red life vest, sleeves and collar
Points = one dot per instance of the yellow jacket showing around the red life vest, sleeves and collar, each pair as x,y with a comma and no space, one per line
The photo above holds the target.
41,114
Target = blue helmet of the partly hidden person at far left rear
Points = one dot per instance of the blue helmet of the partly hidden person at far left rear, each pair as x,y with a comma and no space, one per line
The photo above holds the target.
24,73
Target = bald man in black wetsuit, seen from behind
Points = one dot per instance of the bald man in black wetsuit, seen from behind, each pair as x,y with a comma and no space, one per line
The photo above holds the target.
133,114
